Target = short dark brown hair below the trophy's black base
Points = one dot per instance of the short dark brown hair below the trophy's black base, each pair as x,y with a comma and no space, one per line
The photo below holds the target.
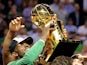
62,60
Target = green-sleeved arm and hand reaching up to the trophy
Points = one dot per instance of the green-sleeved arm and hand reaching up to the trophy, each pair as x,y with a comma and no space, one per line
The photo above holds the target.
32,54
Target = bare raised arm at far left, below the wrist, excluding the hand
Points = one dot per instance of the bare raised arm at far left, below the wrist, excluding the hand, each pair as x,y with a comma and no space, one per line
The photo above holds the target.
6,43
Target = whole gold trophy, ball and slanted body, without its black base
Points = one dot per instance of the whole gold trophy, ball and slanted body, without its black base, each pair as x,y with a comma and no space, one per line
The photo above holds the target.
42,15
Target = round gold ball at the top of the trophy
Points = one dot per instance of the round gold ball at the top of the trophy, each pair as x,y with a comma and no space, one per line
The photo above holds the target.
41,15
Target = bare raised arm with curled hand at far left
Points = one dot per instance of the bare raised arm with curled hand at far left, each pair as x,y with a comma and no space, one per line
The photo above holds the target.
14,26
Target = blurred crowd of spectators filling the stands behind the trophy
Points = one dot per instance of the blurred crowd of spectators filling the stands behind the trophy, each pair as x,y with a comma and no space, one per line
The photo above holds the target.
75,19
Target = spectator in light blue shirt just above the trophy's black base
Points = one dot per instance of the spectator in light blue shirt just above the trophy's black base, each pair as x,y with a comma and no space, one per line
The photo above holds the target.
71,29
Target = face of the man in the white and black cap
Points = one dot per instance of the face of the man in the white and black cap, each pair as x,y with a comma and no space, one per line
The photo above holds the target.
22,48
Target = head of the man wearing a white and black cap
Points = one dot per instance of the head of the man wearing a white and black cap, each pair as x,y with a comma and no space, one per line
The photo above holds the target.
20,44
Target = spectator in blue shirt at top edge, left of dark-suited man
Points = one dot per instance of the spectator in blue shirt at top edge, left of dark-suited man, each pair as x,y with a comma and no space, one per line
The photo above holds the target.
68,6
